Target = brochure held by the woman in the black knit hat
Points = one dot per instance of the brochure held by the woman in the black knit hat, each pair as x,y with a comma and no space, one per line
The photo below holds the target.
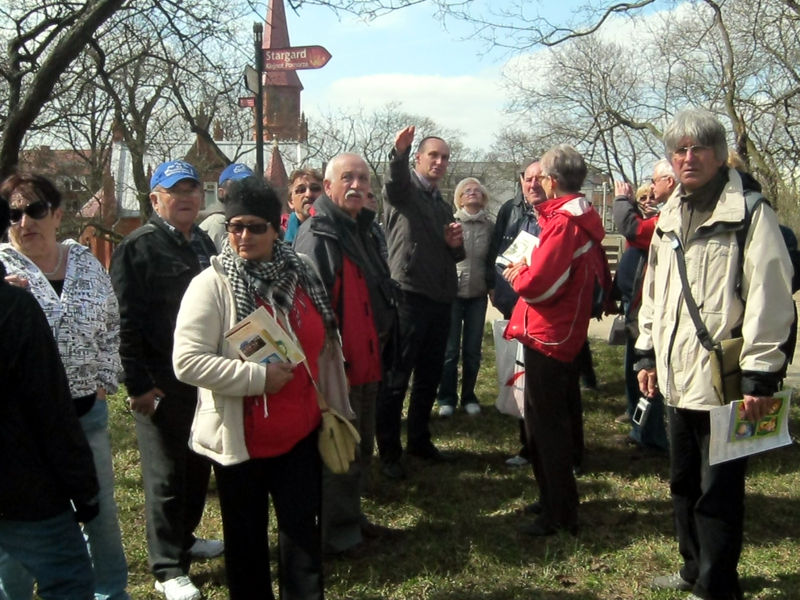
260,338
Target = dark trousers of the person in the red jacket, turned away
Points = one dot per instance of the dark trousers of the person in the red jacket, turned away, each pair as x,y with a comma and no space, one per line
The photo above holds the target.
552,415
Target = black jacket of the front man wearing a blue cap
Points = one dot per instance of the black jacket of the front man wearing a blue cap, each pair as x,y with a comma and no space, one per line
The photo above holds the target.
150,271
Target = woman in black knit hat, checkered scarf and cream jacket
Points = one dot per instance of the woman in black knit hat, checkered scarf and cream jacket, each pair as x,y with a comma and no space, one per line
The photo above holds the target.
258,422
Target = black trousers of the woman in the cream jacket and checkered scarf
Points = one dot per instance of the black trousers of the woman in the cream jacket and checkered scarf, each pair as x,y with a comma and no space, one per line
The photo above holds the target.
293,480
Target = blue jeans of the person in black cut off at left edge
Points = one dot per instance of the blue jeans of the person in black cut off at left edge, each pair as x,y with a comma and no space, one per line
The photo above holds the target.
54,552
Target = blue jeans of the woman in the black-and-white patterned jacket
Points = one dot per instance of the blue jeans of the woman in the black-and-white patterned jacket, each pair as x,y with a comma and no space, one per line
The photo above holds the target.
102,534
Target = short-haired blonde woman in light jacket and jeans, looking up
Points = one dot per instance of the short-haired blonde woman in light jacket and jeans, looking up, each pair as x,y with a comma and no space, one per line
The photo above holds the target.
475,280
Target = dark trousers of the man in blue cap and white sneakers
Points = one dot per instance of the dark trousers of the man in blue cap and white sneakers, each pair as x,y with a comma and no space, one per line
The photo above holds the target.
175,484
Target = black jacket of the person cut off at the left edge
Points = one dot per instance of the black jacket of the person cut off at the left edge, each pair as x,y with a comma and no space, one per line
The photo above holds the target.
46,461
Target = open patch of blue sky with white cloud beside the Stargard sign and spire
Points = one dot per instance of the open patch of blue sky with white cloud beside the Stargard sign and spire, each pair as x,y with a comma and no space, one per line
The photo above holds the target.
406,56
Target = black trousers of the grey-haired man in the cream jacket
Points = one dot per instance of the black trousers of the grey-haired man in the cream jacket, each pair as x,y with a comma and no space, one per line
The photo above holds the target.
709,507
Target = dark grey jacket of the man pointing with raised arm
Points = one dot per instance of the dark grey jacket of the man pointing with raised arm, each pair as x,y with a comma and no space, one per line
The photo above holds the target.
420,260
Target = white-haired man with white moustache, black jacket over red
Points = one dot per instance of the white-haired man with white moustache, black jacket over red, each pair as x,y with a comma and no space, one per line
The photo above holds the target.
339,239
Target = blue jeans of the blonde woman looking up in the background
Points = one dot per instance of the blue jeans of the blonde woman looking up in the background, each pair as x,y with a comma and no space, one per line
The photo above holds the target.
471,312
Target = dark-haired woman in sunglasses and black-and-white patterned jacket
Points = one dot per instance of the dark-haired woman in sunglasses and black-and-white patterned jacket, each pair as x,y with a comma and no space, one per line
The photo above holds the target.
75,293
